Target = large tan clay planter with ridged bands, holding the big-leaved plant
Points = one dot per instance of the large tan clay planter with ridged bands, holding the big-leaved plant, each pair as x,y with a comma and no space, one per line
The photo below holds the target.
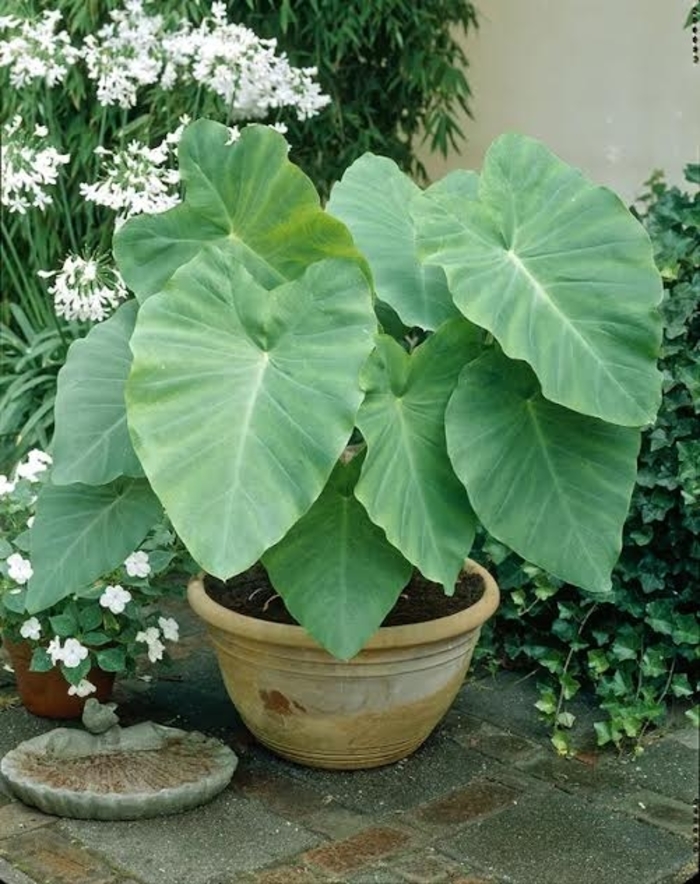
313,709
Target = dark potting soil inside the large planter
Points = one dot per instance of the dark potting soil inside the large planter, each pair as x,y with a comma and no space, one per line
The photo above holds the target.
252,594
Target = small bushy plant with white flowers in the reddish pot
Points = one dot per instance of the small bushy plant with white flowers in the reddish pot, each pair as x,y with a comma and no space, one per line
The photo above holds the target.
111,624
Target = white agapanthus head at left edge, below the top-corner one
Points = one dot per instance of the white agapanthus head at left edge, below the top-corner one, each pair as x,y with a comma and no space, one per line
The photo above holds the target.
29,167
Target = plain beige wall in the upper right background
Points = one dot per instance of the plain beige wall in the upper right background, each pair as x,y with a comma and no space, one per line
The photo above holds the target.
609,85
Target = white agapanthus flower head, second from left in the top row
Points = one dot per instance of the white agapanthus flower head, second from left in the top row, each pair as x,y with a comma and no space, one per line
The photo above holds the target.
125,54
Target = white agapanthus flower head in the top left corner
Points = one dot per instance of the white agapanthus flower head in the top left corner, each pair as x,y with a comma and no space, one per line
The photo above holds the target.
34,50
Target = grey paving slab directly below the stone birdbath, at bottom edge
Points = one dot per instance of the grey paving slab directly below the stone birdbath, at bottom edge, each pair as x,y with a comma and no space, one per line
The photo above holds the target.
213,843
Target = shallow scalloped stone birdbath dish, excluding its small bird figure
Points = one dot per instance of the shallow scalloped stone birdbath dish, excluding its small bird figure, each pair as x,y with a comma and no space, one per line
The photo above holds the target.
126,773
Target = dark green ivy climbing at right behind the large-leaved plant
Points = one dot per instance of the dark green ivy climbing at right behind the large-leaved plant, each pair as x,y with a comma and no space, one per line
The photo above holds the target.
636,650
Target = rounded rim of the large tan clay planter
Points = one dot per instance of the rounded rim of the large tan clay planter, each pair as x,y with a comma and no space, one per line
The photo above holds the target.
407,635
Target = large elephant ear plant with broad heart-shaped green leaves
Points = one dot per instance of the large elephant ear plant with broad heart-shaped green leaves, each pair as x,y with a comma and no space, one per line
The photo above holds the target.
490,343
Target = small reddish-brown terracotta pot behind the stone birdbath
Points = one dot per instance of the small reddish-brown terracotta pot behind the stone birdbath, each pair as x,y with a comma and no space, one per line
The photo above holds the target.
46,693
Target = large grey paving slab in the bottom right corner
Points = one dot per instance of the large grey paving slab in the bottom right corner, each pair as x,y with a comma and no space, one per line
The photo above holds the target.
566,840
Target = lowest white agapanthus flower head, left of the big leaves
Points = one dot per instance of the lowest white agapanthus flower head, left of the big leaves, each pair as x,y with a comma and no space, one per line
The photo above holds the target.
85,288
